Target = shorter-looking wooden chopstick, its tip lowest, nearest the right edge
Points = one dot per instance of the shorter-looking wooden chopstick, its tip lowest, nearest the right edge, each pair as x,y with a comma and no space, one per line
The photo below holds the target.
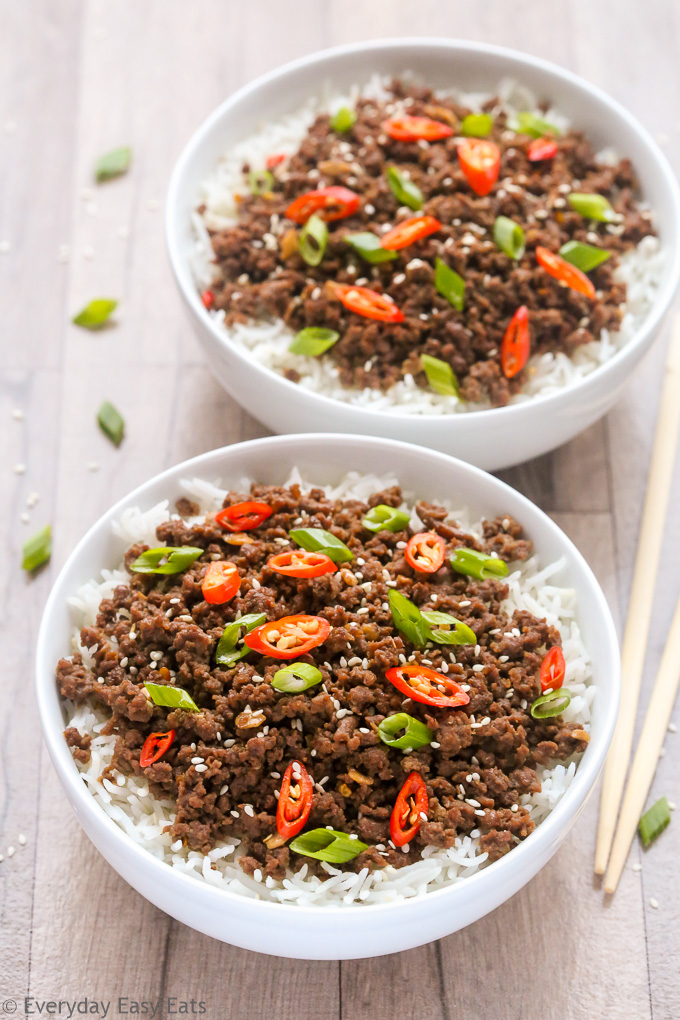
647,756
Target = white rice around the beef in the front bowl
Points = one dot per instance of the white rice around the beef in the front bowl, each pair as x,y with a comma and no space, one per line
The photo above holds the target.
144,818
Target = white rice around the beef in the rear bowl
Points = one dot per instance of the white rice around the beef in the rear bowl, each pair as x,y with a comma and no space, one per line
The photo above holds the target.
269,343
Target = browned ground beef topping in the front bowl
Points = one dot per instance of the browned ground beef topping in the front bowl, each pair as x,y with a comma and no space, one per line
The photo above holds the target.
226,766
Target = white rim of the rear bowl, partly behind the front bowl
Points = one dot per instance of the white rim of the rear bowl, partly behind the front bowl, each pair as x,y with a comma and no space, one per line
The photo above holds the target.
502,416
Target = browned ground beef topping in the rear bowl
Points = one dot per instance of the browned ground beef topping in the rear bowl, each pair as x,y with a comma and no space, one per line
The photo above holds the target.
260,274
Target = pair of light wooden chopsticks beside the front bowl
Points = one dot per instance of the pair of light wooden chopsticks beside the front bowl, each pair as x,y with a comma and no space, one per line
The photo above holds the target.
635,646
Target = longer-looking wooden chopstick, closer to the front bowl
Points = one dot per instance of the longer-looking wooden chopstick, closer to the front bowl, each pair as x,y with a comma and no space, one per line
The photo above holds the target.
640,606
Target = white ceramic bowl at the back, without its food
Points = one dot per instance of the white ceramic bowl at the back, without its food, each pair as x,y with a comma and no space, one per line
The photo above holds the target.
492,439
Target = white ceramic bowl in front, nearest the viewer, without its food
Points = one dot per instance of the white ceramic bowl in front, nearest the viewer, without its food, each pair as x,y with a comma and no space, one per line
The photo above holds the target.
332,933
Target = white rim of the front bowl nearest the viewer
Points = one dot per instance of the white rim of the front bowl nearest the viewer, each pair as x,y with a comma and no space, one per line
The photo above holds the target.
546,834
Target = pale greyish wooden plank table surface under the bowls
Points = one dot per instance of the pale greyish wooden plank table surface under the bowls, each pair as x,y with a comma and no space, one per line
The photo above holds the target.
77,79
